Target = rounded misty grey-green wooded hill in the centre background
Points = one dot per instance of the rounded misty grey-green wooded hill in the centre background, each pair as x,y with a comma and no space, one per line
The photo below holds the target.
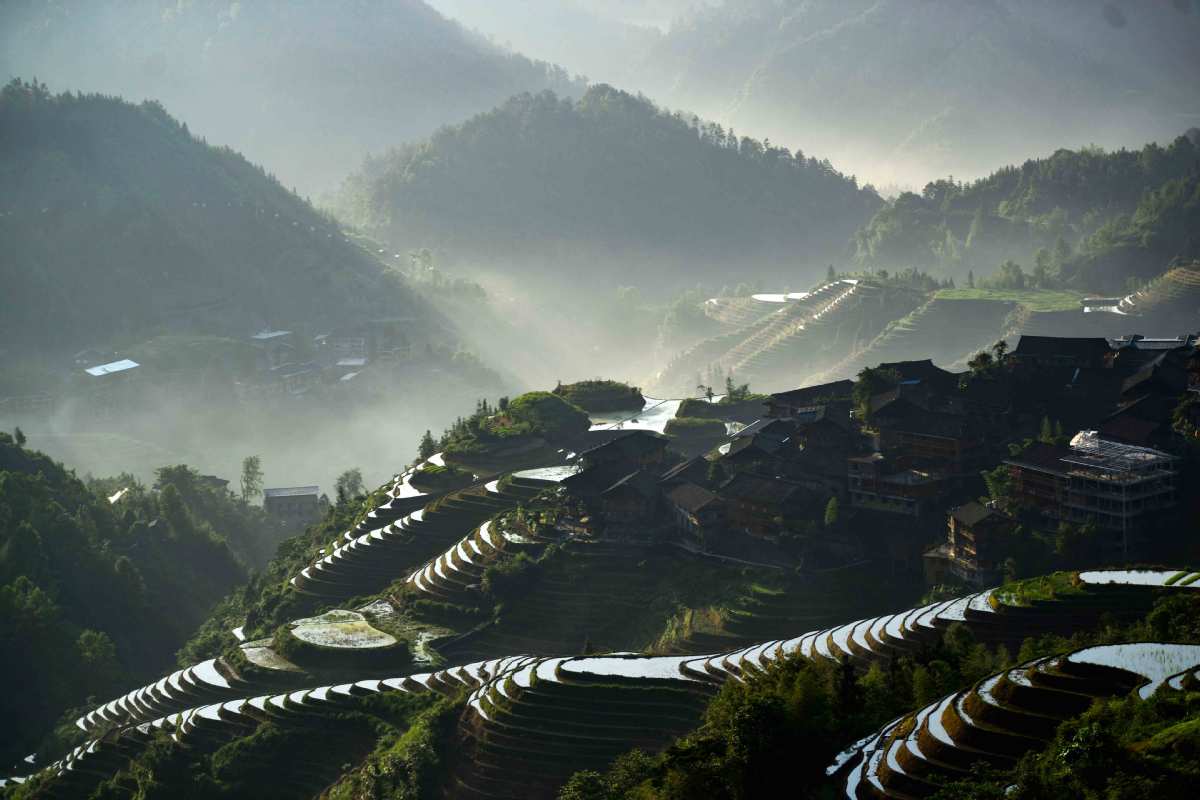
609,176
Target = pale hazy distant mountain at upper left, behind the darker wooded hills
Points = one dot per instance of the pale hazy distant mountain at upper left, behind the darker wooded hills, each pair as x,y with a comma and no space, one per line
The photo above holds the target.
304,88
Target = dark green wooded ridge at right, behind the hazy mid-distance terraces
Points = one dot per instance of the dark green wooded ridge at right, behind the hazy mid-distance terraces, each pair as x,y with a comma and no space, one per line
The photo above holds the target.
1089,219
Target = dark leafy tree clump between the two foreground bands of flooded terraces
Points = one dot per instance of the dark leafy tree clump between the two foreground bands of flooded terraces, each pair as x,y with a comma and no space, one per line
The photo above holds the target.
785,726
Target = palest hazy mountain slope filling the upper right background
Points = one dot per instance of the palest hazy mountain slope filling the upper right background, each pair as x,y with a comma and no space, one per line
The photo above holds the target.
905,92
